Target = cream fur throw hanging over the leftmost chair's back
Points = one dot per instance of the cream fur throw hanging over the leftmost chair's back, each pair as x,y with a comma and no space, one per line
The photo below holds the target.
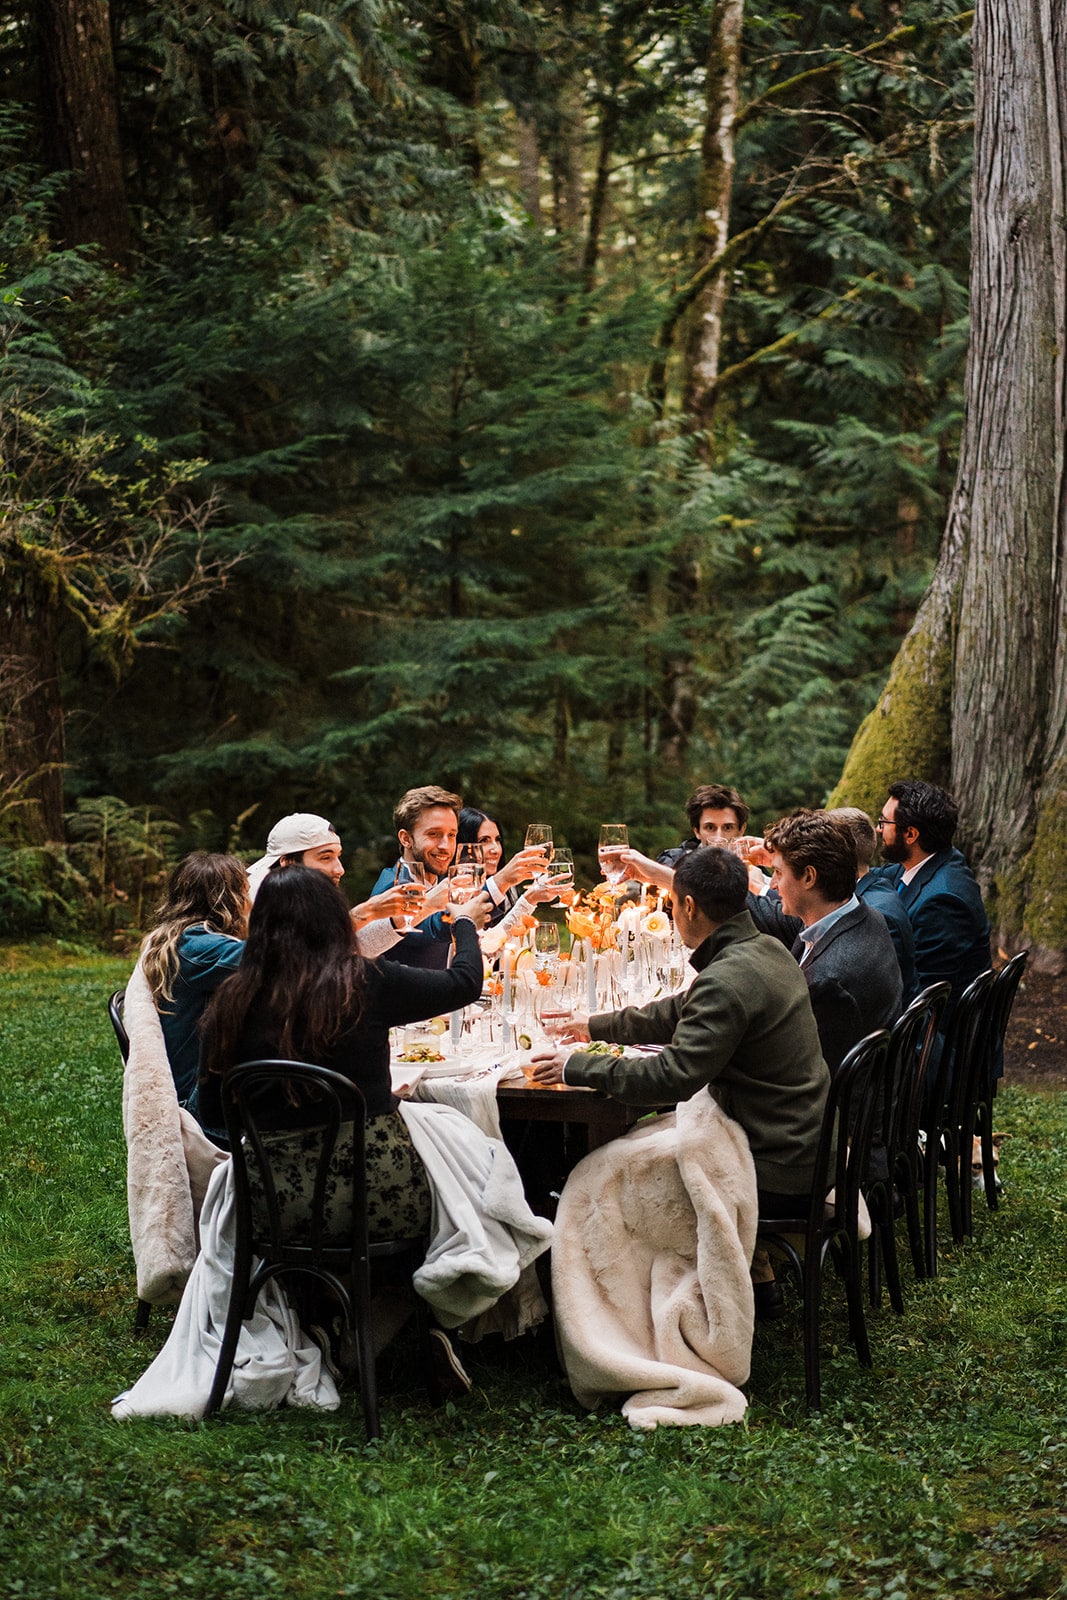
169,1158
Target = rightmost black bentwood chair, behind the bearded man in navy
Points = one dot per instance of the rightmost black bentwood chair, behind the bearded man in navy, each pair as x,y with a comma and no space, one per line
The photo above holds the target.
949,1114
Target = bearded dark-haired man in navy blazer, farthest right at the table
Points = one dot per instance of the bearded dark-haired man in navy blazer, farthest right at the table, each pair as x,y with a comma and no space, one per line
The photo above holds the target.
935,884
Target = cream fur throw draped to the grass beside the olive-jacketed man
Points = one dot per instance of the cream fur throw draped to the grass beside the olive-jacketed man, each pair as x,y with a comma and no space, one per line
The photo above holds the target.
650,1270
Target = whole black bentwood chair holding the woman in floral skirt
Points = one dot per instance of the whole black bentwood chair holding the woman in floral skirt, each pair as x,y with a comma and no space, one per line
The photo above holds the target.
303,1246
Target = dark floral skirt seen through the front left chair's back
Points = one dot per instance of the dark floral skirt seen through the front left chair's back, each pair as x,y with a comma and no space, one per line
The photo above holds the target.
398,1188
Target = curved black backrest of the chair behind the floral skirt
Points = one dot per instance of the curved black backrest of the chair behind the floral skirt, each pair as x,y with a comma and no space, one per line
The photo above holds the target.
287,1178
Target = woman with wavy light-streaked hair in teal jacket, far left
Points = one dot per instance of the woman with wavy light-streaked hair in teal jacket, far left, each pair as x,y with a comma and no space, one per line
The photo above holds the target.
196,945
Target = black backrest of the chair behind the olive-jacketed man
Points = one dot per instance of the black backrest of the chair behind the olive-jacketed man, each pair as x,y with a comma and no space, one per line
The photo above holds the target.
857,1090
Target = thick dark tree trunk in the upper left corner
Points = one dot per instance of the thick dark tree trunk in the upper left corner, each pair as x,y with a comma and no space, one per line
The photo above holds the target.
81,124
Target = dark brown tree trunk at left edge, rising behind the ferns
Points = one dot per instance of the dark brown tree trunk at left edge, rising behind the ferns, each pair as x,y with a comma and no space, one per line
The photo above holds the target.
31,711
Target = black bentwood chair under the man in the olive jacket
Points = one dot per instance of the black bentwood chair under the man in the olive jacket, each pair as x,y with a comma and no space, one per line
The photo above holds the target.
831,1230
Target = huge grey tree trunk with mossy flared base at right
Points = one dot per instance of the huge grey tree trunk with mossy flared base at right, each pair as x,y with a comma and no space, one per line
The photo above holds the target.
978,694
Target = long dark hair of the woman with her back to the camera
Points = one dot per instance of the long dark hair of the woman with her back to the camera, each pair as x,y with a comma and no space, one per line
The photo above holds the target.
302,969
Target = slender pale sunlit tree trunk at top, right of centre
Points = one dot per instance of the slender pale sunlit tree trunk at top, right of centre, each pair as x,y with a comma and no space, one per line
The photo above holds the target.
713,228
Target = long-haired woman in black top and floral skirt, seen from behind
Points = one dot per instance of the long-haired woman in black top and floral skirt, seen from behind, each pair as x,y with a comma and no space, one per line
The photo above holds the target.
303,993
